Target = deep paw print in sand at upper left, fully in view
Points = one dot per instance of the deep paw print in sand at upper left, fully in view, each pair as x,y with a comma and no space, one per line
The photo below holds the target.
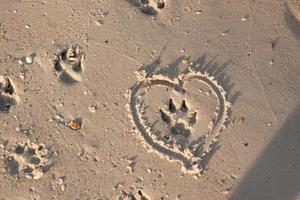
69,64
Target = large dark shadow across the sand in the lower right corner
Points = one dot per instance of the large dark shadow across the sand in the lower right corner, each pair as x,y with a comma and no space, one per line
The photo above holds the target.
276,173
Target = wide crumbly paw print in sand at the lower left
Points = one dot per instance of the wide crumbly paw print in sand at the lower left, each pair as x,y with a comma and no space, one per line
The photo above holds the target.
28,160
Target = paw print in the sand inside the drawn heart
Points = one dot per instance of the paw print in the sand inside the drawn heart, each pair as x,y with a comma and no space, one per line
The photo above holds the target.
179,121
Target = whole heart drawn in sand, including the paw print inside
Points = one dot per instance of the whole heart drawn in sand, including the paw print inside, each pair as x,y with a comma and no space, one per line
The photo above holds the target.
186,126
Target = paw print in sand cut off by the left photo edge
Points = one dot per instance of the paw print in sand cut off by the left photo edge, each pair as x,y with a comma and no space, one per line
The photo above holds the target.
8,97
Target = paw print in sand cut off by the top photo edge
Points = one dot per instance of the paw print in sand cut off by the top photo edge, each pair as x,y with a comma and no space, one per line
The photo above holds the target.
152,7
